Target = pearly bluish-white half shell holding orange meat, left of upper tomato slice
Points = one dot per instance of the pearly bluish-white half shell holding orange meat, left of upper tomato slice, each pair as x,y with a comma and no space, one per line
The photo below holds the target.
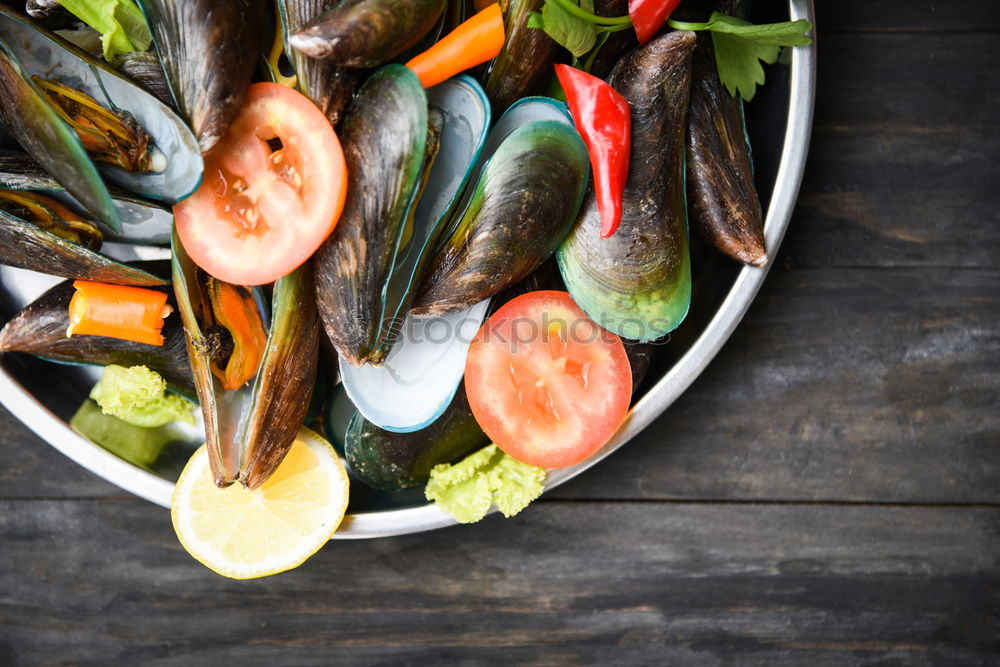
51,58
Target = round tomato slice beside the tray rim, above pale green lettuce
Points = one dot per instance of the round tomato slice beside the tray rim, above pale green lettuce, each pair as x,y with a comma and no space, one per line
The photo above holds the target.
545,383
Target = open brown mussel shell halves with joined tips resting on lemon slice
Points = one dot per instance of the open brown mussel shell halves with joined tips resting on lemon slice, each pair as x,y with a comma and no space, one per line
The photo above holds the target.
249,430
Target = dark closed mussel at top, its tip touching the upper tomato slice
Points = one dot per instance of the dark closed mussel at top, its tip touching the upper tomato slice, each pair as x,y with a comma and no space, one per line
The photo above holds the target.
209,50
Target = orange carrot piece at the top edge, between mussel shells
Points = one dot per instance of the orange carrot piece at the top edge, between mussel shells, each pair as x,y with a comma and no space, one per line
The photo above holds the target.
473,42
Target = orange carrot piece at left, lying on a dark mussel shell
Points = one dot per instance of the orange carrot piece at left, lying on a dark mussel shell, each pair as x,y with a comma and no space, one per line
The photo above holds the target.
117,311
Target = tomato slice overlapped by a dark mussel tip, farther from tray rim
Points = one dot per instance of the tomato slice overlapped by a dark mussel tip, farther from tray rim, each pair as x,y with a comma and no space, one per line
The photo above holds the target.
273,190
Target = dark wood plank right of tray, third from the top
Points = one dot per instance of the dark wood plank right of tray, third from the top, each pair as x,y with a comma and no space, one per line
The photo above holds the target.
839,385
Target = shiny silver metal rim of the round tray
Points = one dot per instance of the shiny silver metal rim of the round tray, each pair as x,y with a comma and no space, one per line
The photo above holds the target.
656,400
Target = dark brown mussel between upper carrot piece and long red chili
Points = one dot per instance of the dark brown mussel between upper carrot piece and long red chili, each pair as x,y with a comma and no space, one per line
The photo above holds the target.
524,65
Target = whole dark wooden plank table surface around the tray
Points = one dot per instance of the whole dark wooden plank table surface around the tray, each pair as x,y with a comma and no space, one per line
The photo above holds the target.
827,493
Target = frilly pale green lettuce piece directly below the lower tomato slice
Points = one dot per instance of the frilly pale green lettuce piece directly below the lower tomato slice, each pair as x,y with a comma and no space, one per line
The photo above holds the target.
467,489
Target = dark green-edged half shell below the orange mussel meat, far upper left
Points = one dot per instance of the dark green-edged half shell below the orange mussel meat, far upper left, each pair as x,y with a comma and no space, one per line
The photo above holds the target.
41,132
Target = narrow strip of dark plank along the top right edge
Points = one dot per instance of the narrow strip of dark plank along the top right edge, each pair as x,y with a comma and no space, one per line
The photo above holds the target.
894,15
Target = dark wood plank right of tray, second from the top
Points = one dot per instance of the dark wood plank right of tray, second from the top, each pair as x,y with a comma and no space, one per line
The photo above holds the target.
901,169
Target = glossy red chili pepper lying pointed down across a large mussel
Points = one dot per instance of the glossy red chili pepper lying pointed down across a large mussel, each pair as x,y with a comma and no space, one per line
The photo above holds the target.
604,120
